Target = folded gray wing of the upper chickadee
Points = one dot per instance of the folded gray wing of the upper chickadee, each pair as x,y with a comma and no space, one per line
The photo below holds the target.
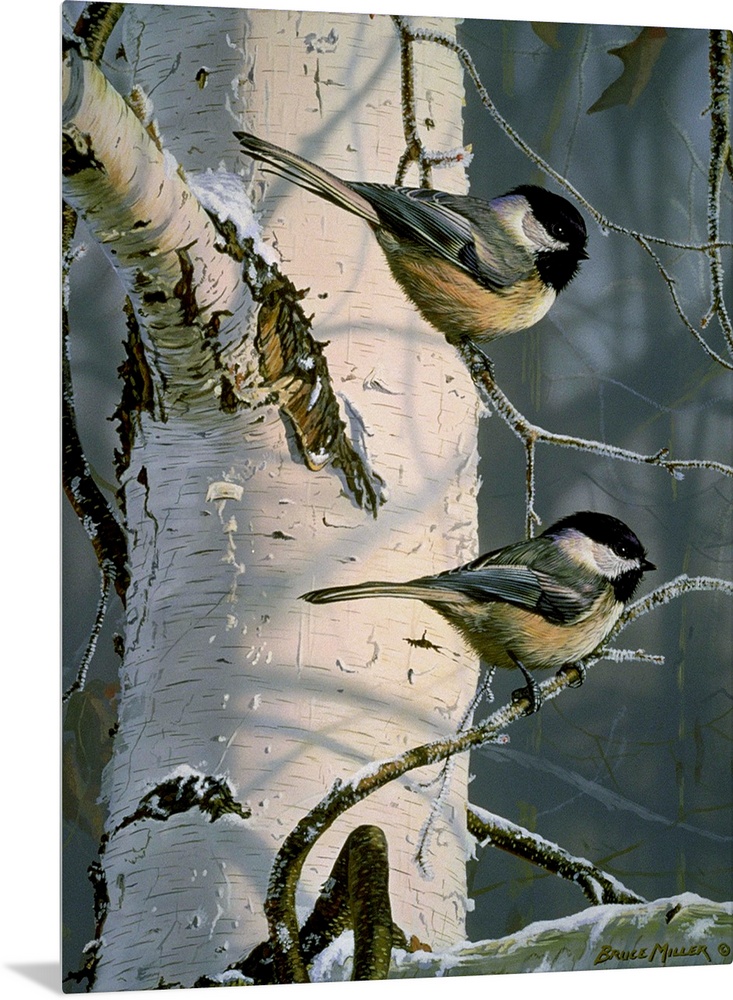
463,230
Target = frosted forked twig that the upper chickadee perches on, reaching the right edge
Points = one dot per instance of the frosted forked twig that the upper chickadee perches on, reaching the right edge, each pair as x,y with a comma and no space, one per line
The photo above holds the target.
531,434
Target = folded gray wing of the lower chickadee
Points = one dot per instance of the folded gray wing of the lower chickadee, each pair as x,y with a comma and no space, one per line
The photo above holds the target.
521,586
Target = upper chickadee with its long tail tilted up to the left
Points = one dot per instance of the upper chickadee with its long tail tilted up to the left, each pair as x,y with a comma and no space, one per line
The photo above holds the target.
474,269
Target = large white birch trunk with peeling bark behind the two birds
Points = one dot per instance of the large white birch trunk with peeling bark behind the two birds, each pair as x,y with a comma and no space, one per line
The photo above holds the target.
226,676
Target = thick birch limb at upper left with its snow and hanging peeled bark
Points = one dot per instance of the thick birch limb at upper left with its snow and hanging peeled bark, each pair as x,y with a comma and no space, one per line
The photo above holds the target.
196,279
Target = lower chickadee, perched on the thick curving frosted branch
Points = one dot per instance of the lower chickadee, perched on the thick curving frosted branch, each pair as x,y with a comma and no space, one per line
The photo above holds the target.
536,604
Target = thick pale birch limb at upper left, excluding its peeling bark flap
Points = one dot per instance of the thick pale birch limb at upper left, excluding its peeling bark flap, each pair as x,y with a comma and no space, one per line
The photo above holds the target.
157,236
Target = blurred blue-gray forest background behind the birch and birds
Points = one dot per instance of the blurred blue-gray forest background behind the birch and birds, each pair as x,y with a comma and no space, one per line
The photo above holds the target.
633,771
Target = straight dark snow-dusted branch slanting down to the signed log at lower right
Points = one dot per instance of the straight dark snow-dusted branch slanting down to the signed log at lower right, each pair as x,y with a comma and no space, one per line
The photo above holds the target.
598,886
